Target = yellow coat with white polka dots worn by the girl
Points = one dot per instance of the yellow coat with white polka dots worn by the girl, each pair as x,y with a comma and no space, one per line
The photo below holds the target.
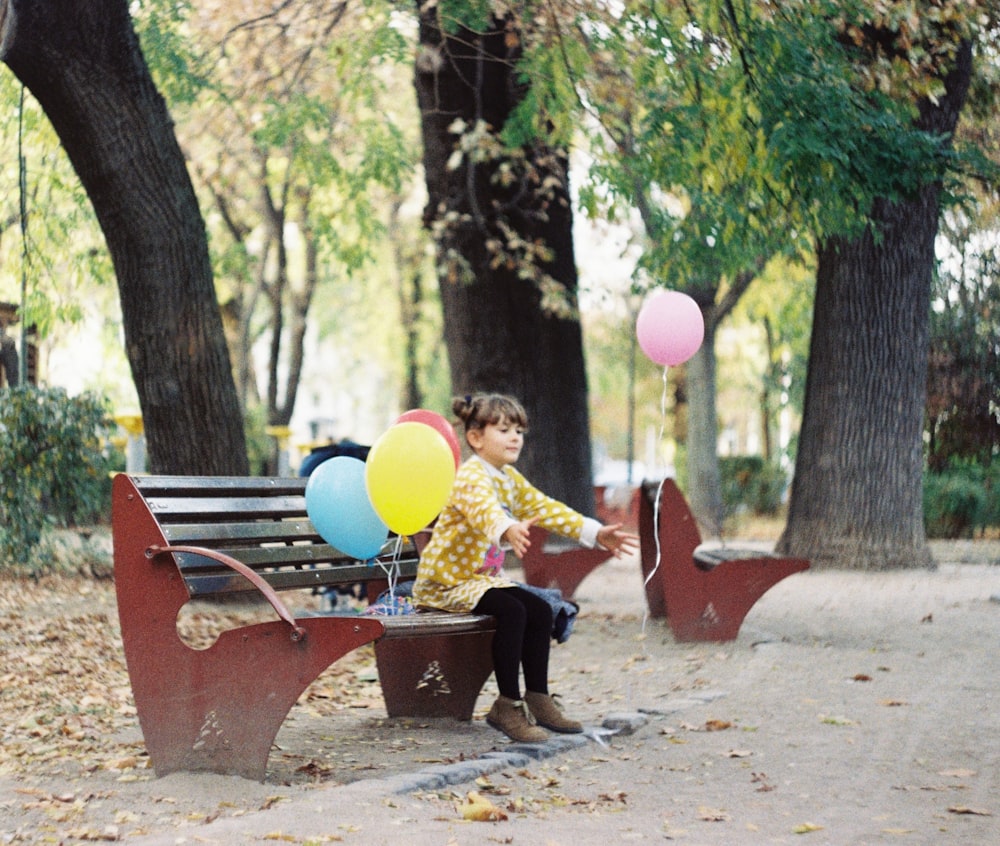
484,502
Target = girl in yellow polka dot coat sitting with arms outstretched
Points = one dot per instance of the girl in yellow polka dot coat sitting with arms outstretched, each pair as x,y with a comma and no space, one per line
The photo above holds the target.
491,508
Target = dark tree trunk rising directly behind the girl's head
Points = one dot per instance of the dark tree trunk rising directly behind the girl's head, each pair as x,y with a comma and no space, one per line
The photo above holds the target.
499,336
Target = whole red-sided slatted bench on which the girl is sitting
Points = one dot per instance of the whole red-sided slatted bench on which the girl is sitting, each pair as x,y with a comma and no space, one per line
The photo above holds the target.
219,709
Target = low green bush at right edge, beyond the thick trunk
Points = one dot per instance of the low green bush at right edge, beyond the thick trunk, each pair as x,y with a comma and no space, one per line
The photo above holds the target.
960,500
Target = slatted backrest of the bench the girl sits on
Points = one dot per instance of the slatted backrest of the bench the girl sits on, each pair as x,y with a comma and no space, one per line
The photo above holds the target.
261,522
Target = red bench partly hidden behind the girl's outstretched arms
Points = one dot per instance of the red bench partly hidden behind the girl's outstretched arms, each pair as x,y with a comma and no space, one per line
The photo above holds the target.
552,561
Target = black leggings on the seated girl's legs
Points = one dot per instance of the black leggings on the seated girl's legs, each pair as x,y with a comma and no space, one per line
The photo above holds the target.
524,628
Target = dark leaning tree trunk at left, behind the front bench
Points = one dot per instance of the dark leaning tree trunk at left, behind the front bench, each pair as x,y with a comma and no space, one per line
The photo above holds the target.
83,63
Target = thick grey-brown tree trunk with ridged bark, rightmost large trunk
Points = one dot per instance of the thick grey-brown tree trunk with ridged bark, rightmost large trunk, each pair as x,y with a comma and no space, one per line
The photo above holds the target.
856,499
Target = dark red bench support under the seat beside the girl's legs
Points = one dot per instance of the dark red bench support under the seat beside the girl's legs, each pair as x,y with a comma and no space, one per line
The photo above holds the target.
434,675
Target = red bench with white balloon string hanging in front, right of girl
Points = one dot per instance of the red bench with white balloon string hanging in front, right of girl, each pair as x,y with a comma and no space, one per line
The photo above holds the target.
703,593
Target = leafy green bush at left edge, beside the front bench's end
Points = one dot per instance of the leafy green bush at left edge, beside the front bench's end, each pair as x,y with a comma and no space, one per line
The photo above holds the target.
52,465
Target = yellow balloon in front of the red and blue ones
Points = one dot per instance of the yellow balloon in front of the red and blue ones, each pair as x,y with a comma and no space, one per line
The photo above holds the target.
409,474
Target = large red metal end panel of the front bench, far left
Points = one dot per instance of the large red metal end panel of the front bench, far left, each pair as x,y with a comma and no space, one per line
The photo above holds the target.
218,709
